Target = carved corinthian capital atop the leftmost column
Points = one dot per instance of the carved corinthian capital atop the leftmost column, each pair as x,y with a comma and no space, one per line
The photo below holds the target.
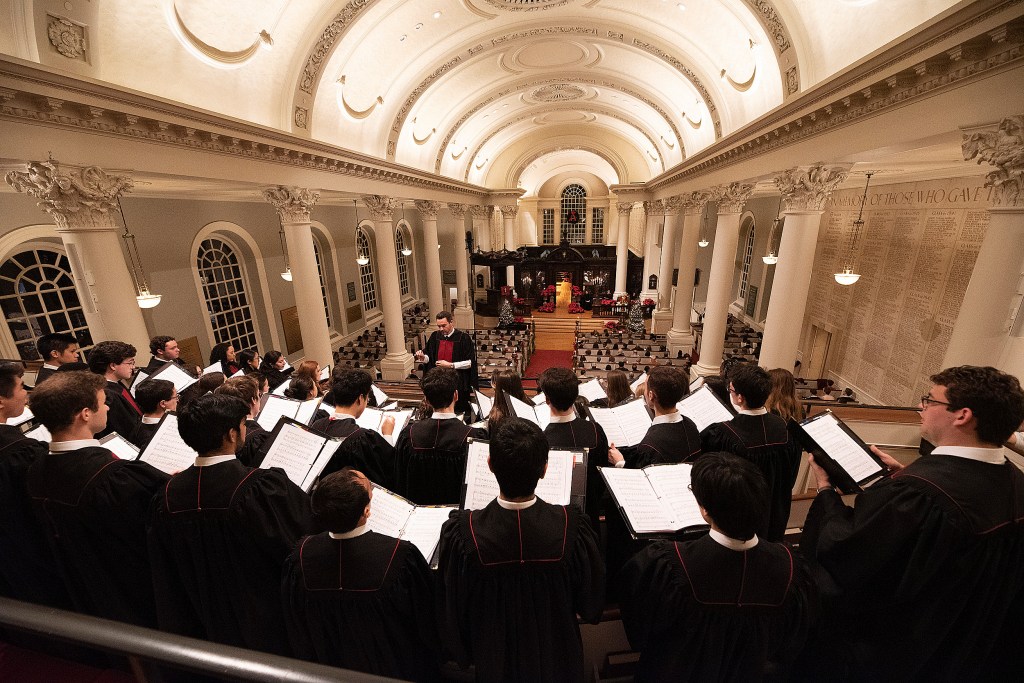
75,196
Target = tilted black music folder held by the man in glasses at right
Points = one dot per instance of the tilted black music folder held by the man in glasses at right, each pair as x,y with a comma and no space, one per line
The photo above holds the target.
848,461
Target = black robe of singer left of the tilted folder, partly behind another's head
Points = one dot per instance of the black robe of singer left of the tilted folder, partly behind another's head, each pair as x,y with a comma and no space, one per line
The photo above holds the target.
764,441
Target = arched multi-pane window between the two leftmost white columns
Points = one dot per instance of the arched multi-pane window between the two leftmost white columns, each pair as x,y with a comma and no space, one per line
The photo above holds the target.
225,291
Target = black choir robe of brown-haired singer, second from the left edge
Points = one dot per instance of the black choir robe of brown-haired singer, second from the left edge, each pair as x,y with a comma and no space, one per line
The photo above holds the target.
93,508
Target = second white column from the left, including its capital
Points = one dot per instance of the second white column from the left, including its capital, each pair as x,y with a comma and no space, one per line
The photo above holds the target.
294,206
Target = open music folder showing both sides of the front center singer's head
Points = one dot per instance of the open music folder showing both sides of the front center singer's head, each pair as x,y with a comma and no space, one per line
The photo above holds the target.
564,484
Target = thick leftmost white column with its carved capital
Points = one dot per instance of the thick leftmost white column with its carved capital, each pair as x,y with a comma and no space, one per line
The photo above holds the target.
81,200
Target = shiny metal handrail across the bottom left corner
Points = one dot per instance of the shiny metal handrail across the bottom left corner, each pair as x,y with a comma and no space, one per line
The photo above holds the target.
178,652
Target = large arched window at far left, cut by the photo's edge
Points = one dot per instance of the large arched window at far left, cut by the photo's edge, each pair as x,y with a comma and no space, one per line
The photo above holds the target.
38,296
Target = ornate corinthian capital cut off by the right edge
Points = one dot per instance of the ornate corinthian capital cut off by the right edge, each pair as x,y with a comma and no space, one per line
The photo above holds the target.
1004,149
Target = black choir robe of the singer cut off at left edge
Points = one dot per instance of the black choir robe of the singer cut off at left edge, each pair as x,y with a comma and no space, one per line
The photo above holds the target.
29,571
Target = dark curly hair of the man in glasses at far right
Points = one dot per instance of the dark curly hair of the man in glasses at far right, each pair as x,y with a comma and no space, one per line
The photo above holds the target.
995,398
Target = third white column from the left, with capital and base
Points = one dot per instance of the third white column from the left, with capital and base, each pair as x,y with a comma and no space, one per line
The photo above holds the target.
399,362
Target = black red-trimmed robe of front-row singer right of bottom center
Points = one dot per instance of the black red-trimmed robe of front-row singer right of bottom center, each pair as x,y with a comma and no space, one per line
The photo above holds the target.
700,612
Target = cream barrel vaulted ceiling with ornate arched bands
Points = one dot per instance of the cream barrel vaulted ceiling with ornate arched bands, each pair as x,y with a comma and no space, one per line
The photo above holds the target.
500,94
